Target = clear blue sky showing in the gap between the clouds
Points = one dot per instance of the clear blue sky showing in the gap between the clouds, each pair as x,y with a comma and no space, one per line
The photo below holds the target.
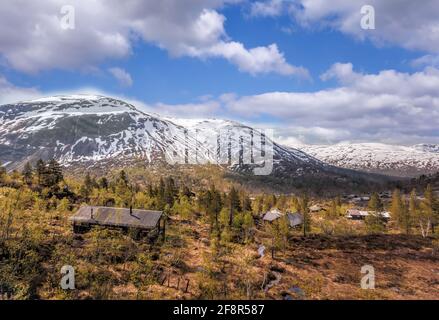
159,77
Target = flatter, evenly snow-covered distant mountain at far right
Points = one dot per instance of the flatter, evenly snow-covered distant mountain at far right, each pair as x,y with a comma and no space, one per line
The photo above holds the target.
379,158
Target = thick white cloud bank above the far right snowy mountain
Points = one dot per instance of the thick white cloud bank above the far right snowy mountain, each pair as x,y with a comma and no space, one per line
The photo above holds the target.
389,107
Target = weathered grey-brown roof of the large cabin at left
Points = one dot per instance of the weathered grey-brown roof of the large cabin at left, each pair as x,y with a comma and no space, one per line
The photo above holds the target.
118,217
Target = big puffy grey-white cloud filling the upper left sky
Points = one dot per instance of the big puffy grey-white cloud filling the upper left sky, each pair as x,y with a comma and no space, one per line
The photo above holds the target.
32,39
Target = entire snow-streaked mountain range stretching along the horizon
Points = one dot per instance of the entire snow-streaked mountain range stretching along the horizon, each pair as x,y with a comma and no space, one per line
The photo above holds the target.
90,130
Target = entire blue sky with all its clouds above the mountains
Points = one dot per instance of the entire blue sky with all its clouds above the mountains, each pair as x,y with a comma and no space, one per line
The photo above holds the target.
309,69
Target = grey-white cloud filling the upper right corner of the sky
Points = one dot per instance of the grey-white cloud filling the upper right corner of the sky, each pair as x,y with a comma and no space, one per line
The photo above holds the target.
404,23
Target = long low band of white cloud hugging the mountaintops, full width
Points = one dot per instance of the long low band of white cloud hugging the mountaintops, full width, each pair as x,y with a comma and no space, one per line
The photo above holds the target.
388,107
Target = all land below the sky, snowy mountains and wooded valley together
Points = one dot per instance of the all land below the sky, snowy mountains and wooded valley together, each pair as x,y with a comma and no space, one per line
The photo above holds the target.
226,233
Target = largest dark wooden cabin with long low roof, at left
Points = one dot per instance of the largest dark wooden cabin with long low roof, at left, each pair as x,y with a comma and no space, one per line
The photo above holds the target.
140,222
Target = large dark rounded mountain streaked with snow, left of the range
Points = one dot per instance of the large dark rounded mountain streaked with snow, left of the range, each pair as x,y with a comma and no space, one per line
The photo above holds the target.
88,130
